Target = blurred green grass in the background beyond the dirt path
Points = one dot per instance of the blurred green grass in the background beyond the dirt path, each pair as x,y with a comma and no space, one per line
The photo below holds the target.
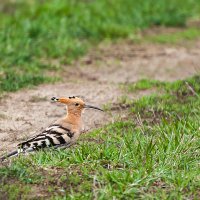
34,31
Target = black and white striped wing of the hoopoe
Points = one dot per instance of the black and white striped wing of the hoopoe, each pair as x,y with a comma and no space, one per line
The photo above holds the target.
54,135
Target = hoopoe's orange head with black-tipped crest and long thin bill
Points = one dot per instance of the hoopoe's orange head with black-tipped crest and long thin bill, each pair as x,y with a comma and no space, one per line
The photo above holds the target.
74,104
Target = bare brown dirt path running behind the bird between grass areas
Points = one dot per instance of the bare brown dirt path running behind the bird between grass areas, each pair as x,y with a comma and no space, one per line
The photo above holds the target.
96,77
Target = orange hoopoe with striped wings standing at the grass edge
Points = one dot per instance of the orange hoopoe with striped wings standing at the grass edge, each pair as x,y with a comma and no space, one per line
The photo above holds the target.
63,133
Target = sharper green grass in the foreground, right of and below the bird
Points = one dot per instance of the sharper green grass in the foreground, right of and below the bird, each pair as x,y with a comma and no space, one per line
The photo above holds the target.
153,155
